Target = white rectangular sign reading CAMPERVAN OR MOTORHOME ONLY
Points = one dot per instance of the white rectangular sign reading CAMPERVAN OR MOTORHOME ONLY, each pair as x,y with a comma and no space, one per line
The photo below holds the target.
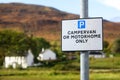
82,34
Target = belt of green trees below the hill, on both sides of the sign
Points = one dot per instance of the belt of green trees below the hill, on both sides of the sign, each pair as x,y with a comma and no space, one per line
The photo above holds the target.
17,43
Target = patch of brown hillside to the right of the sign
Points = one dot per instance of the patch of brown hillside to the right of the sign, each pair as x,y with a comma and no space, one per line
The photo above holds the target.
111,30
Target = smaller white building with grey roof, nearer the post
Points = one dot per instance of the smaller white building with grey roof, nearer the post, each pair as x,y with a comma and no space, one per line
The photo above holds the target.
46,55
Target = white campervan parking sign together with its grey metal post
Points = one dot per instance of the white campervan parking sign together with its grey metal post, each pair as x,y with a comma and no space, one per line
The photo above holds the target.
84,34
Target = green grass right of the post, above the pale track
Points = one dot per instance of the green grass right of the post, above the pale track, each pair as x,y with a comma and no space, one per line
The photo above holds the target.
105,63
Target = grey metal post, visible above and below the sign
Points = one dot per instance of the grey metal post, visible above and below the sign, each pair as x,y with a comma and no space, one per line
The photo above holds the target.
84,57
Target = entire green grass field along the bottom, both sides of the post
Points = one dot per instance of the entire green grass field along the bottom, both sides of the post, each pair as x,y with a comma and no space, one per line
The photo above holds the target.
100,69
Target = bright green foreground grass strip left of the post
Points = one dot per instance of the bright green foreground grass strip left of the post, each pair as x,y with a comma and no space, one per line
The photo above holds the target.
38,74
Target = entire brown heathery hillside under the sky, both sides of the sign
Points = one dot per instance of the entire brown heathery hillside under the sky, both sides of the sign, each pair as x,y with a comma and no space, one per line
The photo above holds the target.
42,21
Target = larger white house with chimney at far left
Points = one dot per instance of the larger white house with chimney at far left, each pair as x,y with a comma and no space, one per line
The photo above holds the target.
19,61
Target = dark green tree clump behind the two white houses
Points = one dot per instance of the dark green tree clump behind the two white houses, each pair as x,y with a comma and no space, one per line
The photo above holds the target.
17,44
